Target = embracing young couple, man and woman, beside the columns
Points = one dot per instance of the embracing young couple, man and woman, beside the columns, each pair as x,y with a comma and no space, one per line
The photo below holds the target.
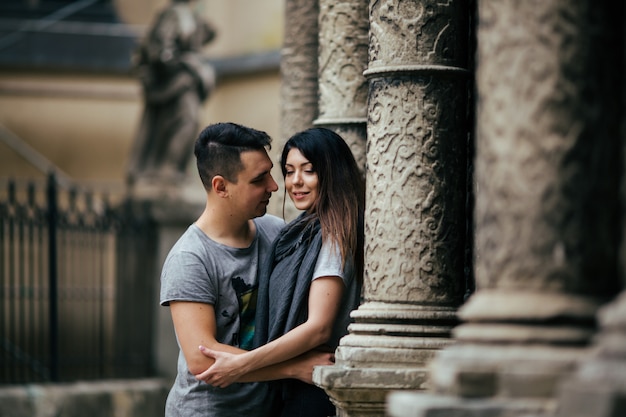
252,299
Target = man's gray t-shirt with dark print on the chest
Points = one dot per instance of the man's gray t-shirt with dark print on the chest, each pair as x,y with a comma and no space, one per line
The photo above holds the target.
201,270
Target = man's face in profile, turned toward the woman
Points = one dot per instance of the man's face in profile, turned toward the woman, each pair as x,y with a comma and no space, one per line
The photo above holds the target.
251,194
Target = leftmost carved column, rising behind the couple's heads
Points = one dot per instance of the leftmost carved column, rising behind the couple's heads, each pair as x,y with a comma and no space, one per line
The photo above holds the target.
299,87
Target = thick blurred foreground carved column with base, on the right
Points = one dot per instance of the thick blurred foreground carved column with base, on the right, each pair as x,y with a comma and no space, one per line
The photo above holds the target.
547,174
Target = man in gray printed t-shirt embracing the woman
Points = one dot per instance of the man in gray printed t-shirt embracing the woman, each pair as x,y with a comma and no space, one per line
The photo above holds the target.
209,278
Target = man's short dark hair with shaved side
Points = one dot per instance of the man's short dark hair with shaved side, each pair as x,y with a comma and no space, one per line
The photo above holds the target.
219,146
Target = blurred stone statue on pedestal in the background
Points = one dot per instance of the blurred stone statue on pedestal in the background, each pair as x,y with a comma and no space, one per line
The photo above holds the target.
175,82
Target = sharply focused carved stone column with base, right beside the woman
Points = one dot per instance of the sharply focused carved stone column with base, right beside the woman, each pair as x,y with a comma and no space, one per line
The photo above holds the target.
415,208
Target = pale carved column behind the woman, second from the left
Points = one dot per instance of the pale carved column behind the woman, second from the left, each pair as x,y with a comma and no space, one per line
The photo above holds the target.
343,45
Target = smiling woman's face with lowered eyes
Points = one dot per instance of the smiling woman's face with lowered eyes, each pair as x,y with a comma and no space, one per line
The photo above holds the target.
301,180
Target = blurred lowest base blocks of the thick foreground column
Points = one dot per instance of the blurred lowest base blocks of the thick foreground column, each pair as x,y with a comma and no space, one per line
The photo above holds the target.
491,381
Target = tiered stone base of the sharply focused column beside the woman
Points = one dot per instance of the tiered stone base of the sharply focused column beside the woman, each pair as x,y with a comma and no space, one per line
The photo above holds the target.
388,348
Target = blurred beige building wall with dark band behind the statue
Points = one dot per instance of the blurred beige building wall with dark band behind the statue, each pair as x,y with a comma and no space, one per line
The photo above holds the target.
69,93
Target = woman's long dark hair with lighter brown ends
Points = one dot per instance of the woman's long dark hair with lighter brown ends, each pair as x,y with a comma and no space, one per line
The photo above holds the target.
341,198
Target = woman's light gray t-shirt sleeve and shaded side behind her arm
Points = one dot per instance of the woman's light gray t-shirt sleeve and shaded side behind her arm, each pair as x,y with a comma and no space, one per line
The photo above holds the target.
329,265
